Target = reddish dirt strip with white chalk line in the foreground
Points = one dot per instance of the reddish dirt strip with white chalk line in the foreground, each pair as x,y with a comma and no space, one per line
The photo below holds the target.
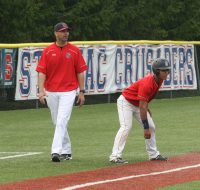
145,175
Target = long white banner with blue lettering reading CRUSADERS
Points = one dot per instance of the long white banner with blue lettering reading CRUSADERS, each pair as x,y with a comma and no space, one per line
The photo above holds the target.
111,68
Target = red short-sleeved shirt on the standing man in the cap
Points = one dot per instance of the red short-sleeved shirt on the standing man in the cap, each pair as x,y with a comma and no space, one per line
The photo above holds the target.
61,65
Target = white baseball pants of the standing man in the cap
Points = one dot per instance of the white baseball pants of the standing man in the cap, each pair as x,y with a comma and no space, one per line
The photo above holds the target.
60,105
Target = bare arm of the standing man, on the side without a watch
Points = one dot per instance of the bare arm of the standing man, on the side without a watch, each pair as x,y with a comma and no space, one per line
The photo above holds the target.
42,93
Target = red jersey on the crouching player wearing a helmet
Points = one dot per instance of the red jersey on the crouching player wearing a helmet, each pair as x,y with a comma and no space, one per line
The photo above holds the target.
144,89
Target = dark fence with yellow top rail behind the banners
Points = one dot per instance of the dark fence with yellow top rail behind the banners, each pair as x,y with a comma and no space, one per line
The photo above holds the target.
7,95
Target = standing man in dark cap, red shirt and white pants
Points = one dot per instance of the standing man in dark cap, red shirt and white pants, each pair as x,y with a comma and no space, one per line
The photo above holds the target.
60,76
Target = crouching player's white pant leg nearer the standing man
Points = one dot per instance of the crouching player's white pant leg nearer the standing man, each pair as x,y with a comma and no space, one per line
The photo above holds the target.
125,118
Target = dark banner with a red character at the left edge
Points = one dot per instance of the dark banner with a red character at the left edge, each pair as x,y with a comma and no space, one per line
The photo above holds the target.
8,61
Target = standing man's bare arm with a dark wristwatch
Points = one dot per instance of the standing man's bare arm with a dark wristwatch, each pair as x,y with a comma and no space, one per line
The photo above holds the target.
81,97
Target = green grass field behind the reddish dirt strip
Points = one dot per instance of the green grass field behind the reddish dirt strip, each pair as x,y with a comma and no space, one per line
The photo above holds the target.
92,130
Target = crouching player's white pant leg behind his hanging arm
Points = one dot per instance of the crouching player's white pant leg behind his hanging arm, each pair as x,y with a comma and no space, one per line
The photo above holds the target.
150,143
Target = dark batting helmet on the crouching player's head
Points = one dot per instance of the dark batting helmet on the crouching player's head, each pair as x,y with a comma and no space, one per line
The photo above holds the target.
160,64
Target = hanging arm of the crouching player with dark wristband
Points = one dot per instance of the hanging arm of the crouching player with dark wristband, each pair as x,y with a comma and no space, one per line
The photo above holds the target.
143,105
